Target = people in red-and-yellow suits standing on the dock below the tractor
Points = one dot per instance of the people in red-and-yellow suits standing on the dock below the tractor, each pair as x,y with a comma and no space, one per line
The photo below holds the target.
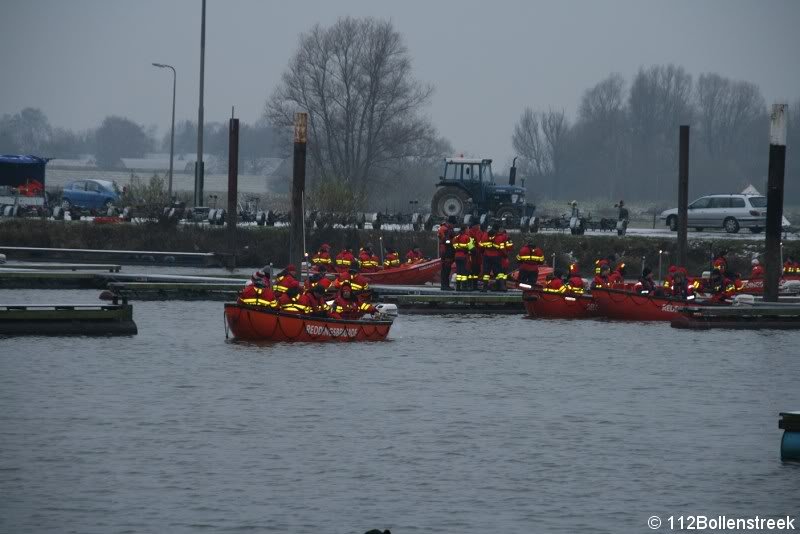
481,255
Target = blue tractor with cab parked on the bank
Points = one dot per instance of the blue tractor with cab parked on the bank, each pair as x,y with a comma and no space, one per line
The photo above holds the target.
467,187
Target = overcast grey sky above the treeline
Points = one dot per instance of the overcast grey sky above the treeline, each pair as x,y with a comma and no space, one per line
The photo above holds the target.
80,60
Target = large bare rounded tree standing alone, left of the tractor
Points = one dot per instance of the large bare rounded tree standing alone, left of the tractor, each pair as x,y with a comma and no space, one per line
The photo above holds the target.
354,79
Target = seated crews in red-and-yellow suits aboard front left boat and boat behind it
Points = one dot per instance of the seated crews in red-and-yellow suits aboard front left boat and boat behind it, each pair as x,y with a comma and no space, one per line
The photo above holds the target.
347,296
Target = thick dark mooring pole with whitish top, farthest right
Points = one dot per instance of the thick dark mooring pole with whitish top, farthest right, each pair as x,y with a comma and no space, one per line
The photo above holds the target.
777,163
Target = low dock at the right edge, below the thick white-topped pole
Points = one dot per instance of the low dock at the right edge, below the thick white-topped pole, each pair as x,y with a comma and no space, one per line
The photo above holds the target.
772,315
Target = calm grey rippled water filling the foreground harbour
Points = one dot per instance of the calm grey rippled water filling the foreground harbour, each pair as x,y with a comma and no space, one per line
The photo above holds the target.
458,424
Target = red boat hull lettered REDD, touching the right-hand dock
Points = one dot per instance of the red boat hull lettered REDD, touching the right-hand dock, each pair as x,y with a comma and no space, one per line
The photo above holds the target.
630,306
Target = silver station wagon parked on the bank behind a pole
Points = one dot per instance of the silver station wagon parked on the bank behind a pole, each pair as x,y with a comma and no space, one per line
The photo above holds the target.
729,212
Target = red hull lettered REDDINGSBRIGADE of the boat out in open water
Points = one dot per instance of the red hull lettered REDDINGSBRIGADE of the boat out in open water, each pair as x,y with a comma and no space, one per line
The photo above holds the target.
258,323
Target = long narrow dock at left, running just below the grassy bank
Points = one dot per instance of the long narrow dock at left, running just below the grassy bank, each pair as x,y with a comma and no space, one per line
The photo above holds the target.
127,257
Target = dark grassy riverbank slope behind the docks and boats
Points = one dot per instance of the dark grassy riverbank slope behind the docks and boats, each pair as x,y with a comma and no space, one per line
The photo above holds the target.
257,246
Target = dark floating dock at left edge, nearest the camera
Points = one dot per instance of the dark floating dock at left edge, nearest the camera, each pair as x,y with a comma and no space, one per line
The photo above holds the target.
67,320
